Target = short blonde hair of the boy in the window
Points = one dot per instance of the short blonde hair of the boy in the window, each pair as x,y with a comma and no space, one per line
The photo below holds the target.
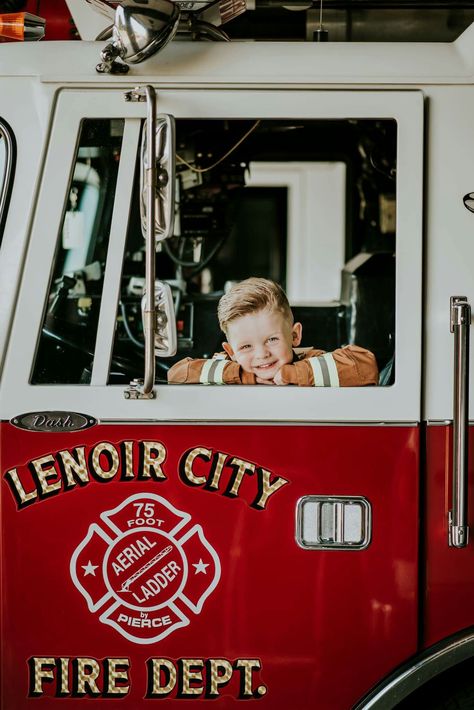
251,296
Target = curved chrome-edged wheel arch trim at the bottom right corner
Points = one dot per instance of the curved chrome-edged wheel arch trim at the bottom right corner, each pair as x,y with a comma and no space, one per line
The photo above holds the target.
418,671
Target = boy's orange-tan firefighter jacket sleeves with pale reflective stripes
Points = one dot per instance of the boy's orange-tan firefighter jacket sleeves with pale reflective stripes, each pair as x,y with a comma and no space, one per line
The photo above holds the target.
350,366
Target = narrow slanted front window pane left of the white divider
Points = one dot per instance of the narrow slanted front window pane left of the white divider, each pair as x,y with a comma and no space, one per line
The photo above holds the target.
69,329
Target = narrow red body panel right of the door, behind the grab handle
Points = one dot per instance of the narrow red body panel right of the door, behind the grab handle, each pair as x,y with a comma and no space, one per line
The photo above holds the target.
449,599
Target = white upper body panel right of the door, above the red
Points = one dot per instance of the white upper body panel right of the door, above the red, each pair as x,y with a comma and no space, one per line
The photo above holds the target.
449,262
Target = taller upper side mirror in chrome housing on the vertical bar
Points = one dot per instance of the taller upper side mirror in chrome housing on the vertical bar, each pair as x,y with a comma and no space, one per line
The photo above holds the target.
165,177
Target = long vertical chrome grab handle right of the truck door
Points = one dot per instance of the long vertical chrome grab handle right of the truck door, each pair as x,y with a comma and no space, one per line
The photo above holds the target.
460,325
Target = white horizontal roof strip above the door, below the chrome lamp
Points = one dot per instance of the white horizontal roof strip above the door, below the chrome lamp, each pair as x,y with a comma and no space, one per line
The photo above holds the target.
223,64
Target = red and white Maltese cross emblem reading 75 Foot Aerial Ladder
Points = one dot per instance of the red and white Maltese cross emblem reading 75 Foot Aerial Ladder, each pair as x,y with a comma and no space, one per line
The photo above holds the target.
144,567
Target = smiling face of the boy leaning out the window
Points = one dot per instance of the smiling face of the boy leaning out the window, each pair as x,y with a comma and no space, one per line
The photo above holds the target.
262,342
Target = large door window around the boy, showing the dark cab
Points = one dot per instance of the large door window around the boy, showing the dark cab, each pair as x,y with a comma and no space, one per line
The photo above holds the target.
324,198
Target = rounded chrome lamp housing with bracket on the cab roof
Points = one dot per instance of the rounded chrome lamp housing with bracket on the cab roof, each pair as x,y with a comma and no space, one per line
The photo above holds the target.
141,28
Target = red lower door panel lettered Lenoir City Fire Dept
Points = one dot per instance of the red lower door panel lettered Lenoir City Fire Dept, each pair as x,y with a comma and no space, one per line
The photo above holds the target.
323,625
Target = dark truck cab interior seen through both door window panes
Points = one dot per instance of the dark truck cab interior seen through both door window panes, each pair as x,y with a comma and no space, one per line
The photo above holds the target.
229,226
